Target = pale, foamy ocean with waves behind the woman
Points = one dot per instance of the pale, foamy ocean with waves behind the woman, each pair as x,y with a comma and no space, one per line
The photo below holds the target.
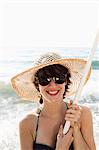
13,108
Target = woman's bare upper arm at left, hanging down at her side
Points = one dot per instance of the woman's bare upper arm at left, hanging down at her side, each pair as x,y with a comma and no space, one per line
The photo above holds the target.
26,136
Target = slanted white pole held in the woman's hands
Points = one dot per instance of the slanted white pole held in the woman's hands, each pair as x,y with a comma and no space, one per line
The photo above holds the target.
86,70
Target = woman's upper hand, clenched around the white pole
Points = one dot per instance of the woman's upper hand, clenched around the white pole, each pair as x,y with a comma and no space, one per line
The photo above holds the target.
73,114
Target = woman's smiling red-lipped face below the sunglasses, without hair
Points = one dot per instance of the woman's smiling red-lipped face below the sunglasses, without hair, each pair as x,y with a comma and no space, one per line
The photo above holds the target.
52,92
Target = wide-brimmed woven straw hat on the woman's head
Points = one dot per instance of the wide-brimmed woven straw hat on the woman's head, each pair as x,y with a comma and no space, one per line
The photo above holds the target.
23,82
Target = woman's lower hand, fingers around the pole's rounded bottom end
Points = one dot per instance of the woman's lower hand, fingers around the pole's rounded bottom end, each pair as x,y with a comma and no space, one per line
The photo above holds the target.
64,140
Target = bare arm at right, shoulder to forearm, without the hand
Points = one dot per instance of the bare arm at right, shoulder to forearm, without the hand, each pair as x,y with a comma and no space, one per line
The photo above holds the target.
84,139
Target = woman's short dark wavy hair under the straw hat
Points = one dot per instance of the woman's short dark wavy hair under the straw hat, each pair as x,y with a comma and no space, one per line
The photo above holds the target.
51,71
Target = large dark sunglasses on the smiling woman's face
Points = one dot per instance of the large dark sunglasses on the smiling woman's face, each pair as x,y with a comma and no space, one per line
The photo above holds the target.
45,81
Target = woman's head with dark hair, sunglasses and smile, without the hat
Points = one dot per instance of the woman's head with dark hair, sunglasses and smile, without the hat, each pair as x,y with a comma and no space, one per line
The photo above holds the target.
51,81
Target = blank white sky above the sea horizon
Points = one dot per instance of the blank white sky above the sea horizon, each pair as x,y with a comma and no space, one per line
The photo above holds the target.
27,24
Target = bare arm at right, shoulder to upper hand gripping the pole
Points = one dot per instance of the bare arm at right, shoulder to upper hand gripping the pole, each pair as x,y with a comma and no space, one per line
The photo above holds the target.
81,121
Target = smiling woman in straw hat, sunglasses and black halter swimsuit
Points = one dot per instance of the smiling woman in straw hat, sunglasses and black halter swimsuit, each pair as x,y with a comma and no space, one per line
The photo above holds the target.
51,81
